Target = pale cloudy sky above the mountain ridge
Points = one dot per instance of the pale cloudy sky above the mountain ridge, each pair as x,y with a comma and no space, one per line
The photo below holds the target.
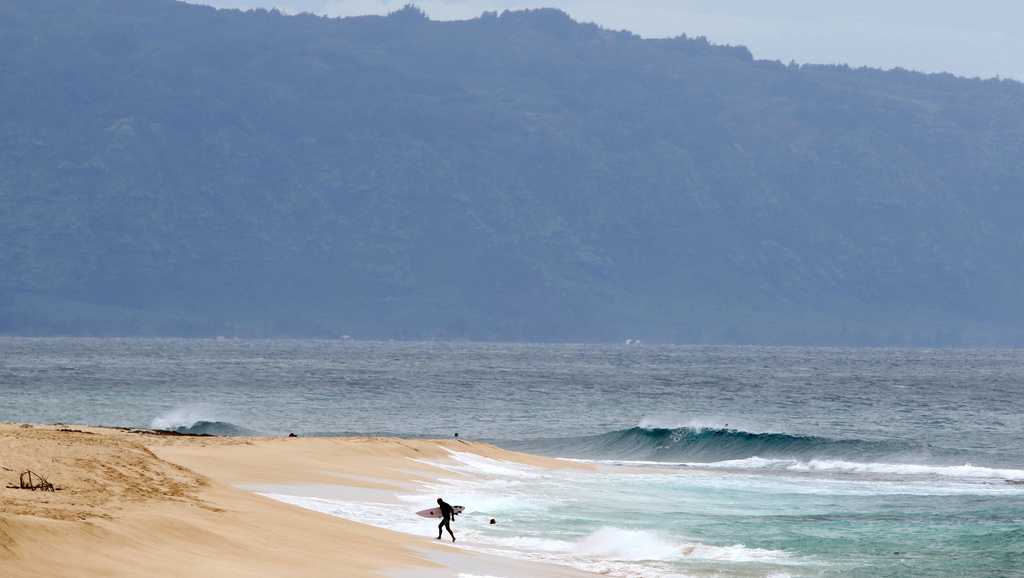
980,38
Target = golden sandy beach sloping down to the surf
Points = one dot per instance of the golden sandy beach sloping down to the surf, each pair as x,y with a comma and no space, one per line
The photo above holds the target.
140,505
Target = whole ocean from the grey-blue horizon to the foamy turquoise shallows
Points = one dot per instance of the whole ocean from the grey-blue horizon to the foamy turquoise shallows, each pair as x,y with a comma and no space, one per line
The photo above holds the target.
711,462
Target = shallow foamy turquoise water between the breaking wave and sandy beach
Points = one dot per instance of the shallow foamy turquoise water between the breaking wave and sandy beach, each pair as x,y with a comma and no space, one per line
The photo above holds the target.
695,521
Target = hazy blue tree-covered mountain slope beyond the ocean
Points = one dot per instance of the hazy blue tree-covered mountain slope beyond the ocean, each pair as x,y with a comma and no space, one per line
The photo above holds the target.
174,170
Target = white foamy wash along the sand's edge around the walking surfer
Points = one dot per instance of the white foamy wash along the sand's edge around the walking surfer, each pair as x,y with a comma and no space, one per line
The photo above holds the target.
513,491
